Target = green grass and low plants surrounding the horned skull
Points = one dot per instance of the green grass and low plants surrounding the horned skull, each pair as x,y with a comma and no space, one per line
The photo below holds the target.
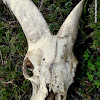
13,46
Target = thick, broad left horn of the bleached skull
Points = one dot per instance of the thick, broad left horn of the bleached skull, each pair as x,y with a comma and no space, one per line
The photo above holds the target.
31,20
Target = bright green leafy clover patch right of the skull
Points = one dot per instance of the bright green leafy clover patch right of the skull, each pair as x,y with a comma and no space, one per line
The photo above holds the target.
92,61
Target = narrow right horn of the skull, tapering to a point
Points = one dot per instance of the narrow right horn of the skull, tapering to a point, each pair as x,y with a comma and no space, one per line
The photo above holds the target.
69,27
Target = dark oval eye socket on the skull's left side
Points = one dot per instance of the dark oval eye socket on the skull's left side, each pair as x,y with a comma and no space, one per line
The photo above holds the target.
28,68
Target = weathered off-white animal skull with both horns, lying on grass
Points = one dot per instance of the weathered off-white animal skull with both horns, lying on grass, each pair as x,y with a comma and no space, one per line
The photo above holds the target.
50,58
